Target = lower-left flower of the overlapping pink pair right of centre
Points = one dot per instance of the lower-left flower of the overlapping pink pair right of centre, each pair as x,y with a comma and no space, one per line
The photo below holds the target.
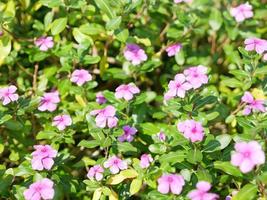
178,87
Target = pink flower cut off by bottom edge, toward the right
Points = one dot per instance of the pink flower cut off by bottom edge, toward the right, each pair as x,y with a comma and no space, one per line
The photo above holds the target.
201,192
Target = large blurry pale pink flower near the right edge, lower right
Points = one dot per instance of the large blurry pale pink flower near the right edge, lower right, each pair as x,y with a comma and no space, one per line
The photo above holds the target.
247,155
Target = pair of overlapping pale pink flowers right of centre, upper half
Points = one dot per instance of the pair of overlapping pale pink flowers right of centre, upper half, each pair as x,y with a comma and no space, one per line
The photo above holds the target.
193,77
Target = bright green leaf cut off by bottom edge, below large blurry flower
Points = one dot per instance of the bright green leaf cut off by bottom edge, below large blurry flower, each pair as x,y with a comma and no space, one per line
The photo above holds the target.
248,192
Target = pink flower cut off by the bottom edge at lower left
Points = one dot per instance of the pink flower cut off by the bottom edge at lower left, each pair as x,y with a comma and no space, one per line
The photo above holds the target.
42,189
